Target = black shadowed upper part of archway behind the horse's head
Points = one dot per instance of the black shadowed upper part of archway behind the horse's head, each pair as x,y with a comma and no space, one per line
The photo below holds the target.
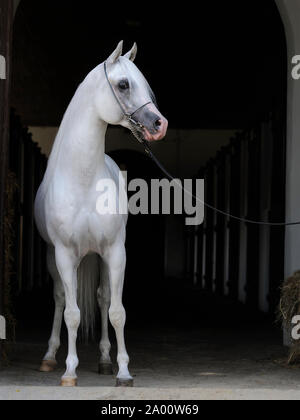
211,64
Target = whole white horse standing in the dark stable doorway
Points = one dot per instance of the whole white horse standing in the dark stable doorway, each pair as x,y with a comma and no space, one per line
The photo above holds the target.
66,215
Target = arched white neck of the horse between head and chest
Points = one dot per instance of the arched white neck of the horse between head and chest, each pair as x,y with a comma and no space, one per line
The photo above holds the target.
78,151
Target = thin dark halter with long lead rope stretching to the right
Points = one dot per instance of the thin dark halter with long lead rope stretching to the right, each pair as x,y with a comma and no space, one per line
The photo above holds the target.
136,127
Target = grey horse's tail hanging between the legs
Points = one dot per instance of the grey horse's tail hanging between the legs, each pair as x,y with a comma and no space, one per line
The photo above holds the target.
88,276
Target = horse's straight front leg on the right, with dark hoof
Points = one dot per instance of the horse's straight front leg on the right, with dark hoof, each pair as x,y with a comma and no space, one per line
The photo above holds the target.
116,261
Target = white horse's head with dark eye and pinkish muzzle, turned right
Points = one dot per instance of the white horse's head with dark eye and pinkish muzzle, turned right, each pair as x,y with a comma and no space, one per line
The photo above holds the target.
128,93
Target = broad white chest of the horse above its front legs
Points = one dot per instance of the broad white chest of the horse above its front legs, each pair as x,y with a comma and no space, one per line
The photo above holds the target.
73,216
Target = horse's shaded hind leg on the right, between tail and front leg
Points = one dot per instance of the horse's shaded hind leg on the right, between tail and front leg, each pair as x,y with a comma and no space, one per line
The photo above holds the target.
103,297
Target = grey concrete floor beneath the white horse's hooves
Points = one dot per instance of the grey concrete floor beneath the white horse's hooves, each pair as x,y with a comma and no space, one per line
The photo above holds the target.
206,363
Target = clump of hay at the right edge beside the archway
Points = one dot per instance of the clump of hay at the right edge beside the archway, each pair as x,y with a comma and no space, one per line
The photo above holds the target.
289,307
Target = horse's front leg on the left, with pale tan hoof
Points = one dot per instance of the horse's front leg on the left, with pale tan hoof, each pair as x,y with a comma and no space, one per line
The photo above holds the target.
67,264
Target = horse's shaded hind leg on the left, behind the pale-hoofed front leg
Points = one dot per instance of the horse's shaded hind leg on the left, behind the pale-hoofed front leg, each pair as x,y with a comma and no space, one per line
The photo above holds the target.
49,360
